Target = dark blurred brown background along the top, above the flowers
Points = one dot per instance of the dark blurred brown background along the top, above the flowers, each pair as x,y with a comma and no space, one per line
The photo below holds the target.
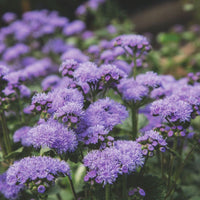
153,16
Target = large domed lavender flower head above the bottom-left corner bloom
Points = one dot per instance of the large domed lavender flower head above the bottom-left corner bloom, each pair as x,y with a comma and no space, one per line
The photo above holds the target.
54,135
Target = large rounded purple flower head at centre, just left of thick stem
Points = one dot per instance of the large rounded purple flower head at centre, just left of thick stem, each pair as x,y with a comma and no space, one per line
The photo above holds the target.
105,112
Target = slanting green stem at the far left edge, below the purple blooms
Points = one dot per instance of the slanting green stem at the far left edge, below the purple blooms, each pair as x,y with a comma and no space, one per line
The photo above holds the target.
6,139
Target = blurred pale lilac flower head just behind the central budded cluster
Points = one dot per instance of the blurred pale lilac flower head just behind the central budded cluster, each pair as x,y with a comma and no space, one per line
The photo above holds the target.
75,54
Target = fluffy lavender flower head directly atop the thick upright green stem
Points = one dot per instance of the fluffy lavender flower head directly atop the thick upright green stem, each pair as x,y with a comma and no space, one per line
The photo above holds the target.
132,90
